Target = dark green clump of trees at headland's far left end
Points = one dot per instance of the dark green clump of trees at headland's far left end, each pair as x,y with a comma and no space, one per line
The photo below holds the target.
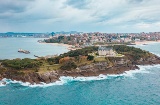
22,63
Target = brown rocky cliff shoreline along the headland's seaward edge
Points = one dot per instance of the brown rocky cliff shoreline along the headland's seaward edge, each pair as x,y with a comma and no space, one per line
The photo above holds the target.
93,69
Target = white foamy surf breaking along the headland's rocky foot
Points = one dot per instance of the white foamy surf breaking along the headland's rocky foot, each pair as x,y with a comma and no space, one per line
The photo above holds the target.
67,79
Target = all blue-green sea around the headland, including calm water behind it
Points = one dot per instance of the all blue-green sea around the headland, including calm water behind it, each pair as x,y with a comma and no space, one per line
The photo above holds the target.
134,87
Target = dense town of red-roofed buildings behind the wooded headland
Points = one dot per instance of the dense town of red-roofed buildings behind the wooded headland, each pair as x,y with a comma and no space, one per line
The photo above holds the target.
88,39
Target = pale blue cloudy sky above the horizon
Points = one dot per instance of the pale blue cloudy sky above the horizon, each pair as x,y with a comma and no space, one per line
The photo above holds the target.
80,15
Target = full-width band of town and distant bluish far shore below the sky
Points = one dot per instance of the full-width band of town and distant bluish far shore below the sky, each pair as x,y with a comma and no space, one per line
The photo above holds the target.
81,39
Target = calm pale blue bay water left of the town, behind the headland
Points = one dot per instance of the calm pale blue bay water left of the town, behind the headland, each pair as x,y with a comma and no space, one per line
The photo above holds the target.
9,48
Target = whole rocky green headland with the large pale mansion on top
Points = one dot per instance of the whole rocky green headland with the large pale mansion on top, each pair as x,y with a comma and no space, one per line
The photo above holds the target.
89,61
